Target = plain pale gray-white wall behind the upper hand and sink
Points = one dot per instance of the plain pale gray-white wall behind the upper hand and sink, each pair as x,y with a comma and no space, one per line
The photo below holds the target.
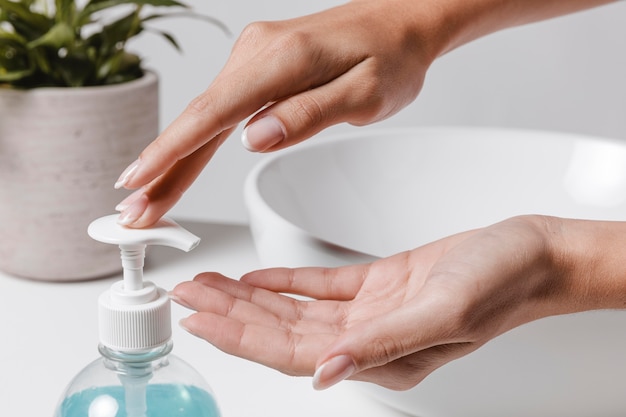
566,74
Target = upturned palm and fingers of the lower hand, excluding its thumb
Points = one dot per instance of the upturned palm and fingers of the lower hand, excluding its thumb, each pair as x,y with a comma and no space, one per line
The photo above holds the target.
253,319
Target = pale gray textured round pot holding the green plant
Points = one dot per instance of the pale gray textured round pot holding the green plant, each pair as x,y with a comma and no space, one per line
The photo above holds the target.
61,150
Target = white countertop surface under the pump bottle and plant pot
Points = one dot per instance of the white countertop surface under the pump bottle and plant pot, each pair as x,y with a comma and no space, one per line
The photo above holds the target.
48,333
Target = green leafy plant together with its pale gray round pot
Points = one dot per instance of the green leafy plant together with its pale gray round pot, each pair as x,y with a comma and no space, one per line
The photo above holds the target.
76,107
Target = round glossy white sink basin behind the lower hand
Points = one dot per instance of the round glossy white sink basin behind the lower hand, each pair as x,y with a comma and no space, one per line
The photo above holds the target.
373,193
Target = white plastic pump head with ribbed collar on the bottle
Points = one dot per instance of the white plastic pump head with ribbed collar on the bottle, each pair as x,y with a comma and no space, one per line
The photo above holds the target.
134,315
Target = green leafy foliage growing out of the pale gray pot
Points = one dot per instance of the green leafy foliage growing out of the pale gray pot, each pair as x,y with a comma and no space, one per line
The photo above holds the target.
42,43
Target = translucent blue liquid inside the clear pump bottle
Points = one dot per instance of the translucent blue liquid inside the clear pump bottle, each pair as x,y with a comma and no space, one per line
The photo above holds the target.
162,401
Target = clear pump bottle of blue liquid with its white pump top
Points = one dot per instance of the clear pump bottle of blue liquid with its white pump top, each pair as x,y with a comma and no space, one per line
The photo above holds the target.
136,376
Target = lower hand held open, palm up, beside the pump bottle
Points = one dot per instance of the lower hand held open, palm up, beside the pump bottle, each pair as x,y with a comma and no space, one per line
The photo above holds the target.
393,321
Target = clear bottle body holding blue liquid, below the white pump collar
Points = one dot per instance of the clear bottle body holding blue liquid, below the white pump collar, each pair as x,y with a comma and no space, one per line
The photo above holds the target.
153,383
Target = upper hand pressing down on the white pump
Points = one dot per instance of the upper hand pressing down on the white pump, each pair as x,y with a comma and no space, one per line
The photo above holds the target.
356,63
